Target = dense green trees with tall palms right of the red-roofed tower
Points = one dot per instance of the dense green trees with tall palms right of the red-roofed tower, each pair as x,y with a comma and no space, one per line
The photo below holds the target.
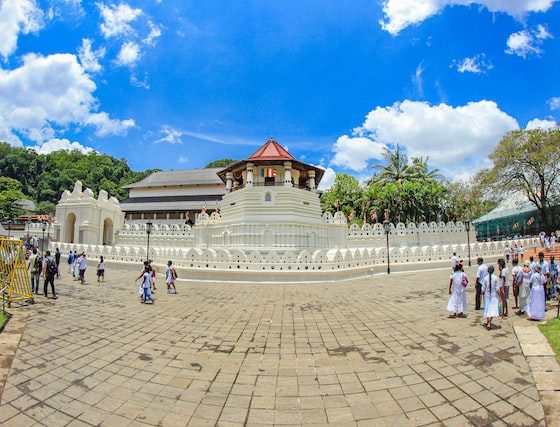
406,191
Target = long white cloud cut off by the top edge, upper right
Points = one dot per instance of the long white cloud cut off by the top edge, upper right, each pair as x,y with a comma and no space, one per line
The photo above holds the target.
400,14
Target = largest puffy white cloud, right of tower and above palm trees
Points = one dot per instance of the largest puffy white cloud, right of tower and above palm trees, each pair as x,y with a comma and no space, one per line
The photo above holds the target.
456,139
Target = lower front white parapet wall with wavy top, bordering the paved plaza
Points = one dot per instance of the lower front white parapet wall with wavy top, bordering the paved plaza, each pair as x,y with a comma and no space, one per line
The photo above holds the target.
319,265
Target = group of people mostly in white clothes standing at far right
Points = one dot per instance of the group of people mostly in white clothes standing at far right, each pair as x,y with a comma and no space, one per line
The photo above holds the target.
533,283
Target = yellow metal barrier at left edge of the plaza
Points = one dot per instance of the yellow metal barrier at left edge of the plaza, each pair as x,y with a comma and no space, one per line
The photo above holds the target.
15,282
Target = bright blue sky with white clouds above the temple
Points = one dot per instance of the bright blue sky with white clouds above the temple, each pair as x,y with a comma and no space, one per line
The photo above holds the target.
175,84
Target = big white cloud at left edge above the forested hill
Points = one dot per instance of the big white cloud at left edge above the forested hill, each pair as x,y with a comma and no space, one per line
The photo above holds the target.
49,92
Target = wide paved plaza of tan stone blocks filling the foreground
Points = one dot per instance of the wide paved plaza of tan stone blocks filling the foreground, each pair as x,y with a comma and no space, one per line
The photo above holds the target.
377,351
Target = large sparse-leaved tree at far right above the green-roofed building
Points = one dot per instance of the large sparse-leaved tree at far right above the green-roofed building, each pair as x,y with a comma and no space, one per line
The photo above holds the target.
528,161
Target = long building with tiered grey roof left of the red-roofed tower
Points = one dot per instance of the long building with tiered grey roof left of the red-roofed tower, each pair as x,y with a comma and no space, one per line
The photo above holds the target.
172,195
